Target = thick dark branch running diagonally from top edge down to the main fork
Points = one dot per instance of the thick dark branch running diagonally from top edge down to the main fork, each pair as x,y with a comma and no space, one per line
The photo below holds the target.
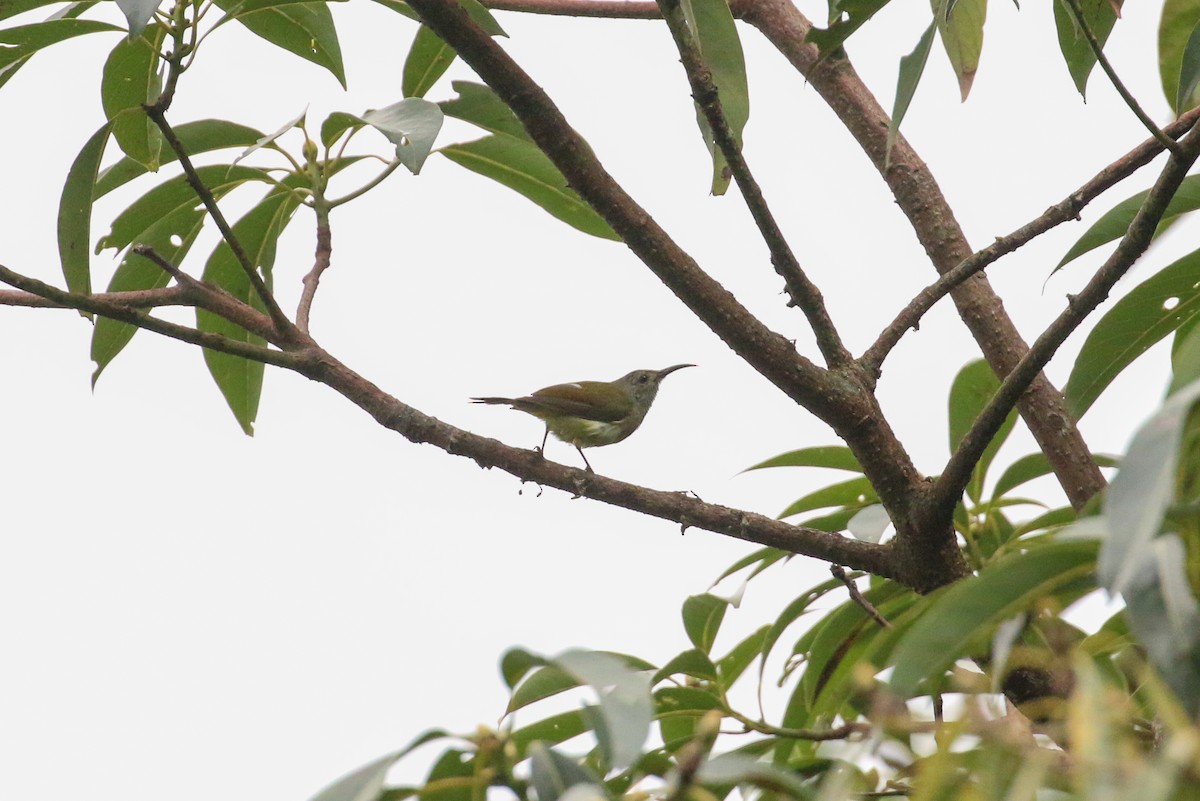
839,401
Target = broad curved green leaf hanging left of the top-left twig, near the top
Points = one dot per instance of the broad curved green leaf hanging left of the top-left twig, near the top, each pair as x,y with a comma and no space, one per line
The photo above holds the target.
130,82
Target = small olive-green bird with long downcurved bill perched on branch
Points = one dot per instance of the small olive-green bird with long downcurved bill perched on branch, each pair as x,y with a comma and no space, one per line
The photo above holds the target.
591,414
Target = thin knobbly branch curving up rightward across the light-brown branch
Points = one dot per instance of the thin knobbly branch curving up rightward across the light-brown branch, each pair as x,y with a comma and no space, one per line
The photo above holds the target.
1065,210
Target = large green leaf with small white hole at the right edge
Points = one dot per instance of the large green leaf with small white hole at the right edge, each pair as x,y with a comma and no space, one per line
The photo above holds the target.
1151,311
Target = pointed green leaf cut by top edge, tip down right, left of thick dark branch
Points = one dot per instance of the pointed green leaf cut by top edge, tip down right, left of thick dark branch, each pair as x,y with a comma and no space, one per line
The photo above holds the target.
305,29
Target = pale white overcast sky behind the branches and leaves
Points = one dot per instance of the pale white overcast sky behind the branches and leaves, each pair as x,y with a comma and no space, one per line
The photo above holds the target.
190,613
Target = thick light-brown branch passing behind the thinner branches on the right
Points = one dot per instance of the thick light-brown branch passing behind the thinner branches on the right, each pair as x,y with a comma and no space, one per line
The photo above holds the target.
933,220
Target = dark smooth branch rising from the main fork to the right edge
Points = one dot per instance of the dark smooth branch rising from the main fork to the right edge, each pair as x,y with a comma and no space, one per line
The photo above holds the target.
1142,231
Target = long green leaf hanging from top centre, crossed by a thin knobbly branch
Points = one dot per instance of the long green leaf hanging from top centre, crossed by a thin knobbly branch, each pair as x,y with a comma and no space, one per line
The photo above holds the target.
717,37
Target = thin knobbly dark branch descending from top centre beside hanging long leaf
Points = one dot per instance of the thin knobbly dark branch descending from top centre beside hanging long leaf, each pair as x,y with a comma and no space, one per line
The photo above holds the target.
801,290
